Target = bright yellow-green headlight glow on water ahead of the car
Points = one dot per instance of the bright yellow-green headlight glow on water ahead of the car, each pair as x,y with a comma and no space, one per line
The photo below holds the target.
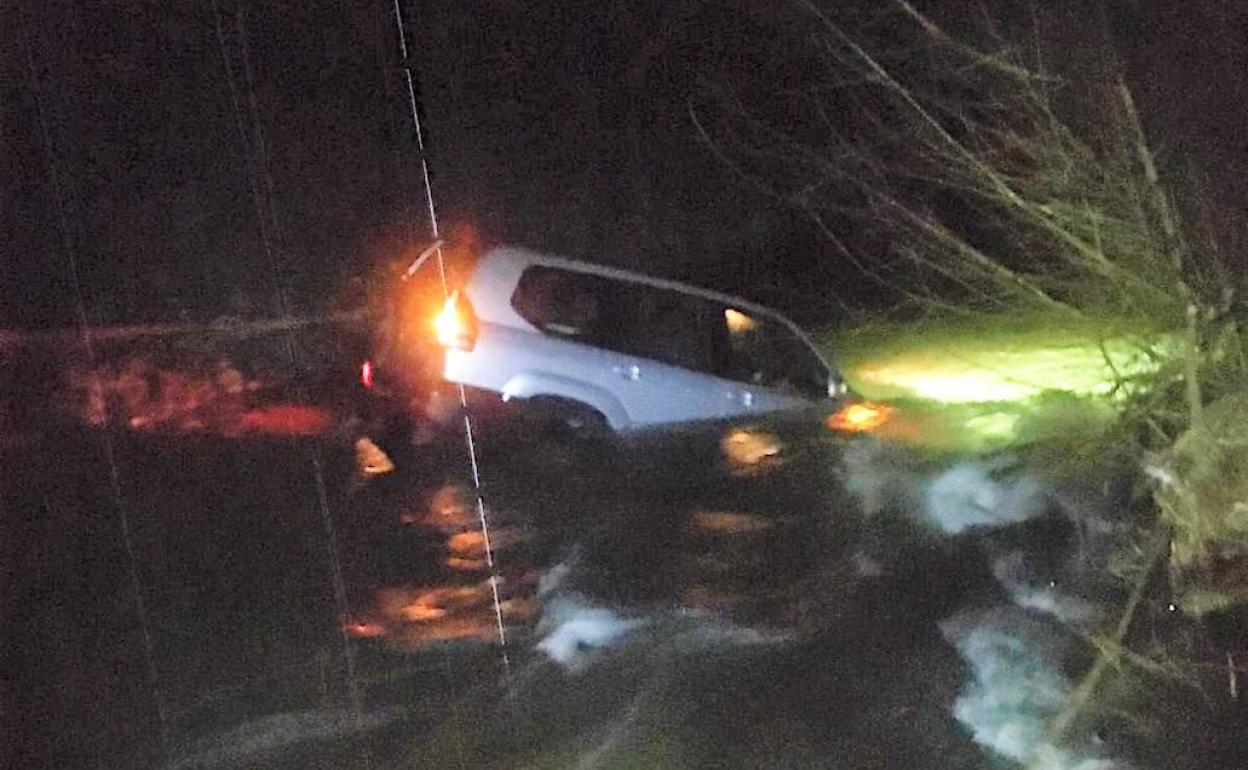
988,387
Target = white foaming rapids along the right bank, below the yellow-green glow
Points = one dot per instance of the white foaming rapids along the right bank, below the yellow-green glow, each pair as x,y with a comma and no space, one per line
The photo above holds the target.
1015,651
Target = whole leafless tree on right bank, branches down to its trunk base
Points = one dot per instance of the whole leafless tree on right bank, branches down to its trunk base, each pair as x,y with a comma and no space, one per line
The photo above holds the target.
990,174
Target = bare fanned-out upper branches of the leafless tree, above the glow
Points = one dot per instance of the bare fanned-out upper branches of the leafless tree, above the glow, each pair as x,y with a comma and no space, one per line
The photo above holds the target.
980,178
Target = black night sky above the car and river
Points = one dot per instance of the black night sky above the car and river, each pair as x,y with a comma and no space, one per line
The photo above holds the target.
561,125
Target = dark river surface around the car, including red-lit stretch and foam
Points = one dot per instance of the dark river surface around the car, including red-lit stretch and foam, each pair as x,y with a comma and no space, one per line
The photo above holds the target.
232,591
